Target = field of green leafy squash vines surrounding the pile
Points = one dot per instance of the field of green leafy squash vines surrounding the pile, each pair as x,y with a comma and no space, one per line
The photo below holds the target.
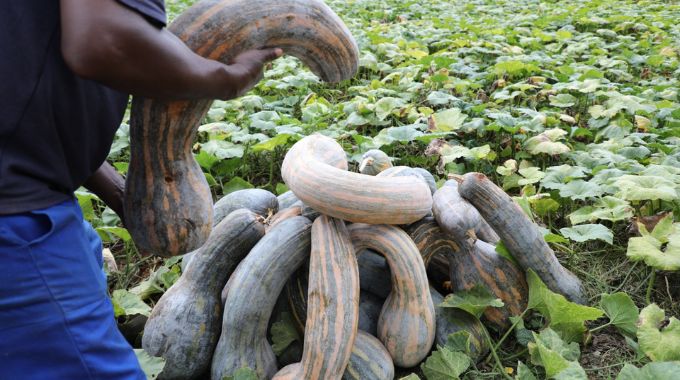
572,107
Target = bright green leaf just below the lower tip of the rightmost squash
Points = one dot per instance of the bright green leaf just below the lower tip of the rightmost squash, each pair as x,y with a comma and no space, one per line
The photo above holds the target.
565,317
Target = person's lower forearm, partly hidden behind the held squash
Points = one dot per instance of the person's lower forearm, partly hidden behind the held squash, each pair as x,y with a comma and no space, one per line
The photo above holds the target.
109,186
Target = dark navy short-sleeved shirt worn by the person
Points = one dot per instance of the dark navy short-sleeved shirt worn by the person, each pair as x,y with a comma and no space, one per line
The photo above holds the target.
56,128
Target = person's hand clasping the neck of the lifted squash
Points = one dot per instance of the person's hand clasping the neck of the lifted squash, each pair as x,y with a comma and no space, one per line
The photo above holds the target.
246,69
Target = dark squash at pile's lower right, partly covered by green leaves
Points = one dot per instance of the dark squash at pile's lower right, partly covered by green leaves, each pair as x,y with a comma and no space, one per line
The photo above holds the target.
451,320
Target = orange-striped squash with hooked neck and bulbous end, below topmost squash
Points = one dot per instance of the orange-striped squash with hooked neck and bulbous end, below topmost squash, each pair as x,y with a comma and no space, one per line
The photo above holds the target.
407,321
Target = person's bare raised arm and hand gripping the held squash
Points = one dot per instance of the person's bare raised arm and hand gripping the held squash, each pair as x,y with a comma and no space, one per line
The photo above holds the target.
103,40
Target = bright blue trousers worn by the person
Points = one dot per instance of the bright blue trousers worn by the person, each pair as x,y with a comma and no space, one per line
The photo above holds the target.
56,319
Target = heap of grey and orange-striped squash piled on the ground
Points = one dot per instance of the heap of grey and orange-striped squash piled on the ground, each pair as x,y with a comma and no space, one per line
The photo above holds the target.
357,259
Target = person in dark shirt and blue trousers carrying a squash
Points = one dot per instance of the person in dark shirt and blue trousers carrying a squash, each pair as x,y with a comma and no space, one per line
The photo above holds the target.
68,68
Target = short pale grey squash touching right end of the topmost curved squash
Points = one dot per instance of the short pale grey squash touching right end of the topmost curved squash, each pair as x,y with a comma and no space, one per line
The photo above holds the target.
458,217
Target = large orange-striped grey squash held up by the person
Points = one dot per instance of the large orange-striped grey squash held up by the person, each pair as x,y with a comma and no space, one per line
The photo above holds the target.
167,200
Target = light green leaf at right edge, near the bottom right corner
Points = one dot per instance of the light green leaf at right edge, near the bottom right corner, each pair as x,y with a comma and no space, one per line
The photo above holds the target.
659,338
